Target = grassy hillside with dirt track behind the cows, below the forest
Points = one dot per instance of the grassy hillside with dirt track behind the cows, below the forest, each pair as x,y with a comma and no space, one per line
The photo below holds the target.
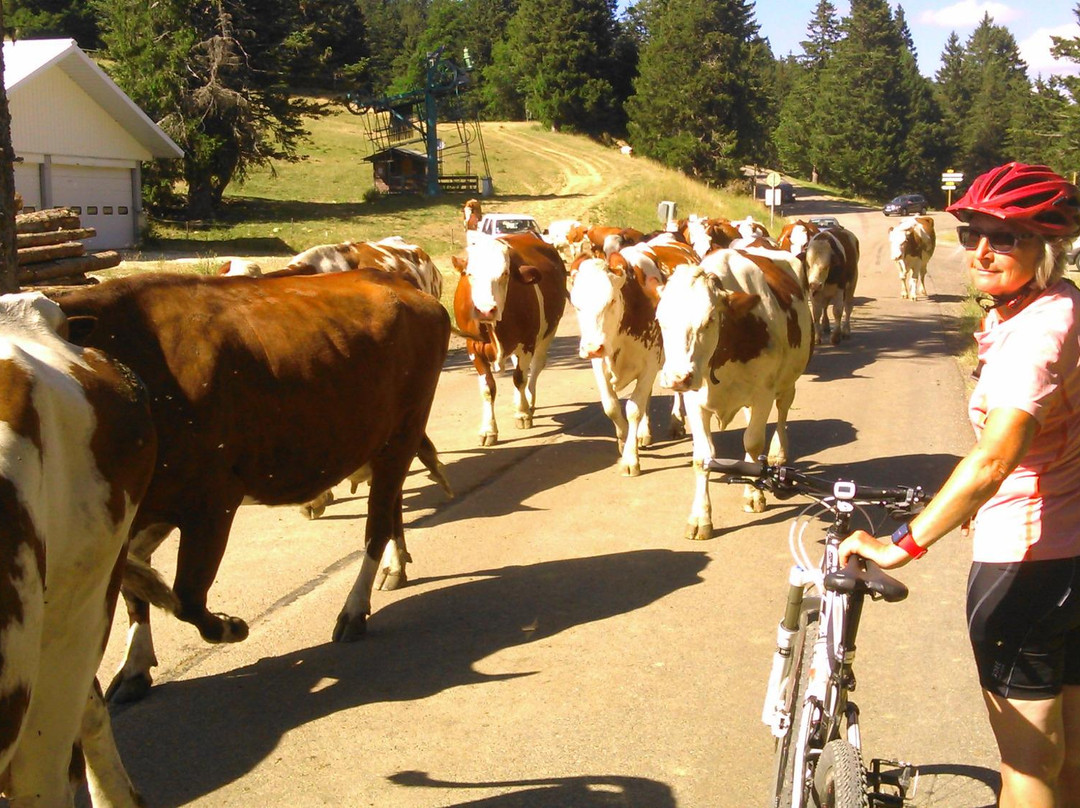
329,198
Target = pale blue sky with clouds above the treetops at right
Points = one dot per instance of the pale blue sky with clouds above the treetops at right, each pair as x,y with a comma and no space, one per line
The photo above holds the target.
785,23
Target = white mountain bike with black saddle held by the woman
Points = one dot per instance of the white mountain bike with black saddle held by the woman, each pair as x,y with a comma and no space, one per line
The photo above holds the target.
808,705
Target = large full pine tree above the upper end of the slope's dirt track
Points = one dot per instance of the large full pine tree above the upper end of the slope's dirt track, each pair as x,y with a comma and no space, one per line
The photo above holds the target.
698,98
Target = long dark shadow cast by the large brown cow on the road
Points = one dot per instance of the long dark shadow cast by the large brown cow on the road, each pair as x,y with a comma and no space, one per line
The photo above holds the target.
222,726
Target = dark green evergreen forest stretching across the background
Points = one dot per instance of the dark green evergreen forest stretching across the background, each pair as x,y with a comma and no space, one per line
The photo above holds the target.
692,84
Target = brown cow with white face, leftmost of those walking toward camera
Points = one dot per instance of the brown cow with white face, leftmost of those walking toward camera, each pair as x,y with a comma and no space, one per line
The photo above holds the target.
510,299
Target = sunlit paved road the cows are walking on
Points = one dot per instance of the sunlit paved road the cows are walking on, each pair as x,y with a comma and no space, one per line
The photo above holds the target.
561,644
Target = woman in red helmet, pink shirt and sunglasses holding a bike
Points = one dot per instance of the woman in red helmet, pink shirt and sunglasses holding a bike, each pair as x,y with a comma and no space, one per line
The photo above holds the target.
1021,482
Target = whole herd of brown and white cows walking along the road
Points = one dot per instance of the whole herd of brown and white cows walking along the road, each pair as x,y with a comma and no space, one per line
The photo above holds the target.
161,402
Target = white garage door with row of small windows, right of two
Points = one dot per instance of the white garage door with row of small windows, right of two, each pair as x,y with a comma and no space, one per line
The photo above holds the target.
102,198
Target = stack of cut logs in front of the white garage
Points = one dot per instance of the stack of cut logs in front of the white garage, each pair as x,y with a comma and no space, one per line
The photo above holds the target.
50,251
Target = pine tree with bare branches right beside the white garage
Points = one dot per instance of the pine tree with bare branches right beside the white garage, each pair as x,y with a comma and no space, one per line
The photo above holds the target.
210,74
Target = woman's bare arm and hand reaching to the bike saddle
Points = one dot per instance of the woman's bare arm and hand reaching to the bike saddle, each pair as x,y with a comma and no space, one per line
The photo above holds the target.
1007,437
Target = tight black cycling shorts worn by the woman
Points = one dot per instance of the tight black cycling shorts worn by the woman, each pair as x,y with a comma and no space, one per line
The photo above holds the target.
1024,624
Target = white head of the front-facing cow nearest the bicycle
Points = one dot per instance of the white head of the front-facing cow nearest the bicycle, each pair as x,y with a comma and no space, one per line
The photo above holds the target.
690,316
